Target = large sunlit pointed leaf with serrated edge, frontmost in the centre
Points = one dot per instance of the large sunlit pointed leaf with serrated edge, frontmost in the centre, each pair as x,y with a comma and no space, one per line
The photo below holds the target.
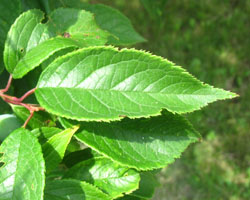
102,83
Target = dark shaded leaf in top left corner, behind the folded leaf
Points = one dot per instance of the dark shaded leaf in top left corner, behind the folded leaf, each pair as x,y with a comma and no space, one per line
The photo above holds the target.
9,11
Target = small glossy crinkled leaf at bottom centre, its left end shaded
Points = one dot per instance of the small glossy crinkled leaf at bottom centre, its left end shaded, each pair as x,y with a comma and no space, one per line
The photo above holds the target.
107,175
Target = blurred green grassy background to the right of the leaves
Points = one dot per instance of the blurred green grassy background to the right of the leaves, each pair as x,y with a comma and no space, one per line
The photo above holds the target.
211,39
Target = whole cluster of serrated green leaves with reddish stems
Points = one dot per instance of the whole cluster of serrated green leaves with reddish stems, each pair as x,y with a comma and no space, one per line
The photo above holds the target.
103,120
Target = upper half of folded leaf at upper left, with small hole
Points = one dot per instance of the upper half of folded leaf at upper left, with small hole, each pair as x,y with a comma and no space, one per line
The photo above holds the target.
24,34
